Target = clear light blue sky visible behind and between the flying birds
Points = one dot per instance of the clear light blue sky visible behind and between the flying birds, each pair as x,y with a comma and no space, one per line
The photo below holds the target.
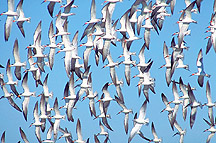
11,120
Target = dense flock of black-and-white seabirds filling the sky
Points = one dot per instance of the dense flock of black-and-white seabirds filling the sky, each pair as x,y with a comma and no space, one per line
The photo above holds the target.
102,35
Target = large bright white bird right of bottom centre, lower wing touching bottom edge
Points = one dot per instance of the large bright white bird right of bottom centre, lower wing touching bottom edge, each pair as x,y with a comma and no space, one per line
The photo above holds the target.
139,121
